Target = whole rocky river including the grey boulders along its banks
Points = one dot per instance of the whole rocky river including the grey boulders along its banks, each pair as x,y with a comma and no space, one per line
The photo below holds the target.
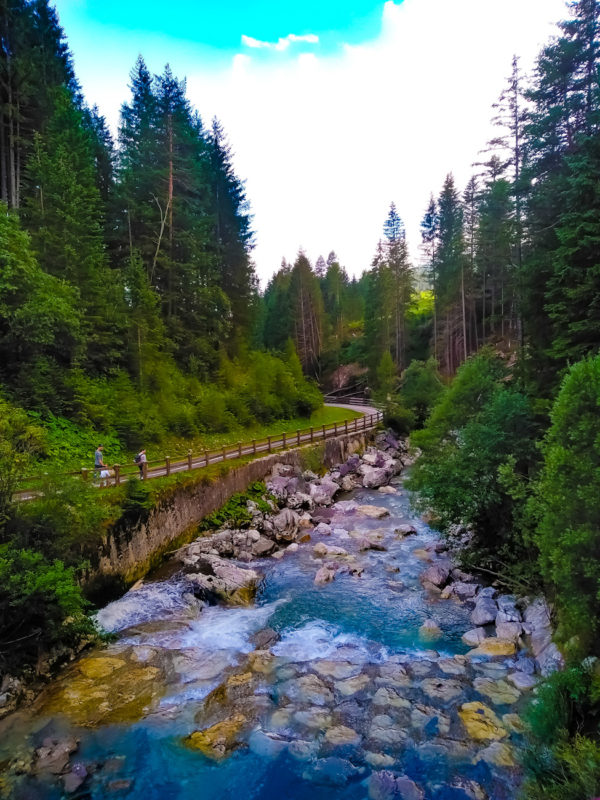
331,646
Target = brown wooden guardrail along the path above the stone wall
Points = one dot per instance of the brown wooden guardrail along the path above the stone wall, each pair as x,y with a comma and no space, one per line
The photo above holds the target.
31,487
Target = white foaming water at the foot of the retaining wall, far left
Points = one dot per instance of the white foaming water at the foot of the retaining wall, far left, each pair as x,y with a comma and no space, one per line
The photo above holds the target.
152,601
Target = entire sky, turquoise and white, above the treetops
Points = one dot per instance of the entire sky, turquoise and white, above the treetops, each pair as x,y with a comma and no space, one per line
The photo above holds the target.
333,109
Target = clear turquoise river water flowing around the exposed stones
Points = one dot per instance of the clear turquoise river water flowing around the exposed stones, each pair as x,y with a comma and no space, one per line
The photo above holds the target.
368,623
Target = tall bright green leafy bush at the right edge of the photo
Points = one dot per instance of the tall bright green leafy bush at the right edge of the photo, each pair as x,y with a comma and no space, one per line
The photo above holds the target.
566,505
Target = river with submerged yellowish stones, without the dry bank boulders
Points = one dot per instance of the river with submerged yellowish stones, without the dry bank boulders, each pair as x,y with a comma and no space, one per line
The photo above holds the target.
320,691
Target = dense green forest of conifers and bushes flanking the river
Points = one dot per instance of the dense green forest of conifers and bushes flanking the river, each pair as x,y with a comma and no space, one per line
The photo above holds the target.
129,306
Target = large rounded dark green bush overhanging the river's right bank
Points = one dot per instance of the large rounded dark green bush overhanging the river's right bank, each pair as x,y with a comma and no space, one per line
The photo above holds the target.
460,474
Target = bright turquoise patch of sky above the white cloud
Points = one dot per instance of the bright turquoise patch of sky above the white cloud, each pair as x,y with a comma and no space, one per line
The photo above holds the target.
213,30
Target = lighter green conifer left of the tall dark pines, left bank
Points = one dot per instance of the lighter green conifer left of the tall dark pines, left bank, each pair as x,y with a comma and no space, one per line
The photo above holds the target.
65,221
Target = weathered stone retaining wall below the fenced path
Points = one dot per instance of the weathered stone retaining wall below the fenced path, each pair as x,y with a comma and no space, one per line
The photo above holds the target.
128,553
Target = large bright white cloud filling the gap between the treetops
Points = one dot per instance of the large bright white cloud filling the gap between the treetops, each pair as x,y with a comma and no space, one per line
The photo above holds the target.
326,143
